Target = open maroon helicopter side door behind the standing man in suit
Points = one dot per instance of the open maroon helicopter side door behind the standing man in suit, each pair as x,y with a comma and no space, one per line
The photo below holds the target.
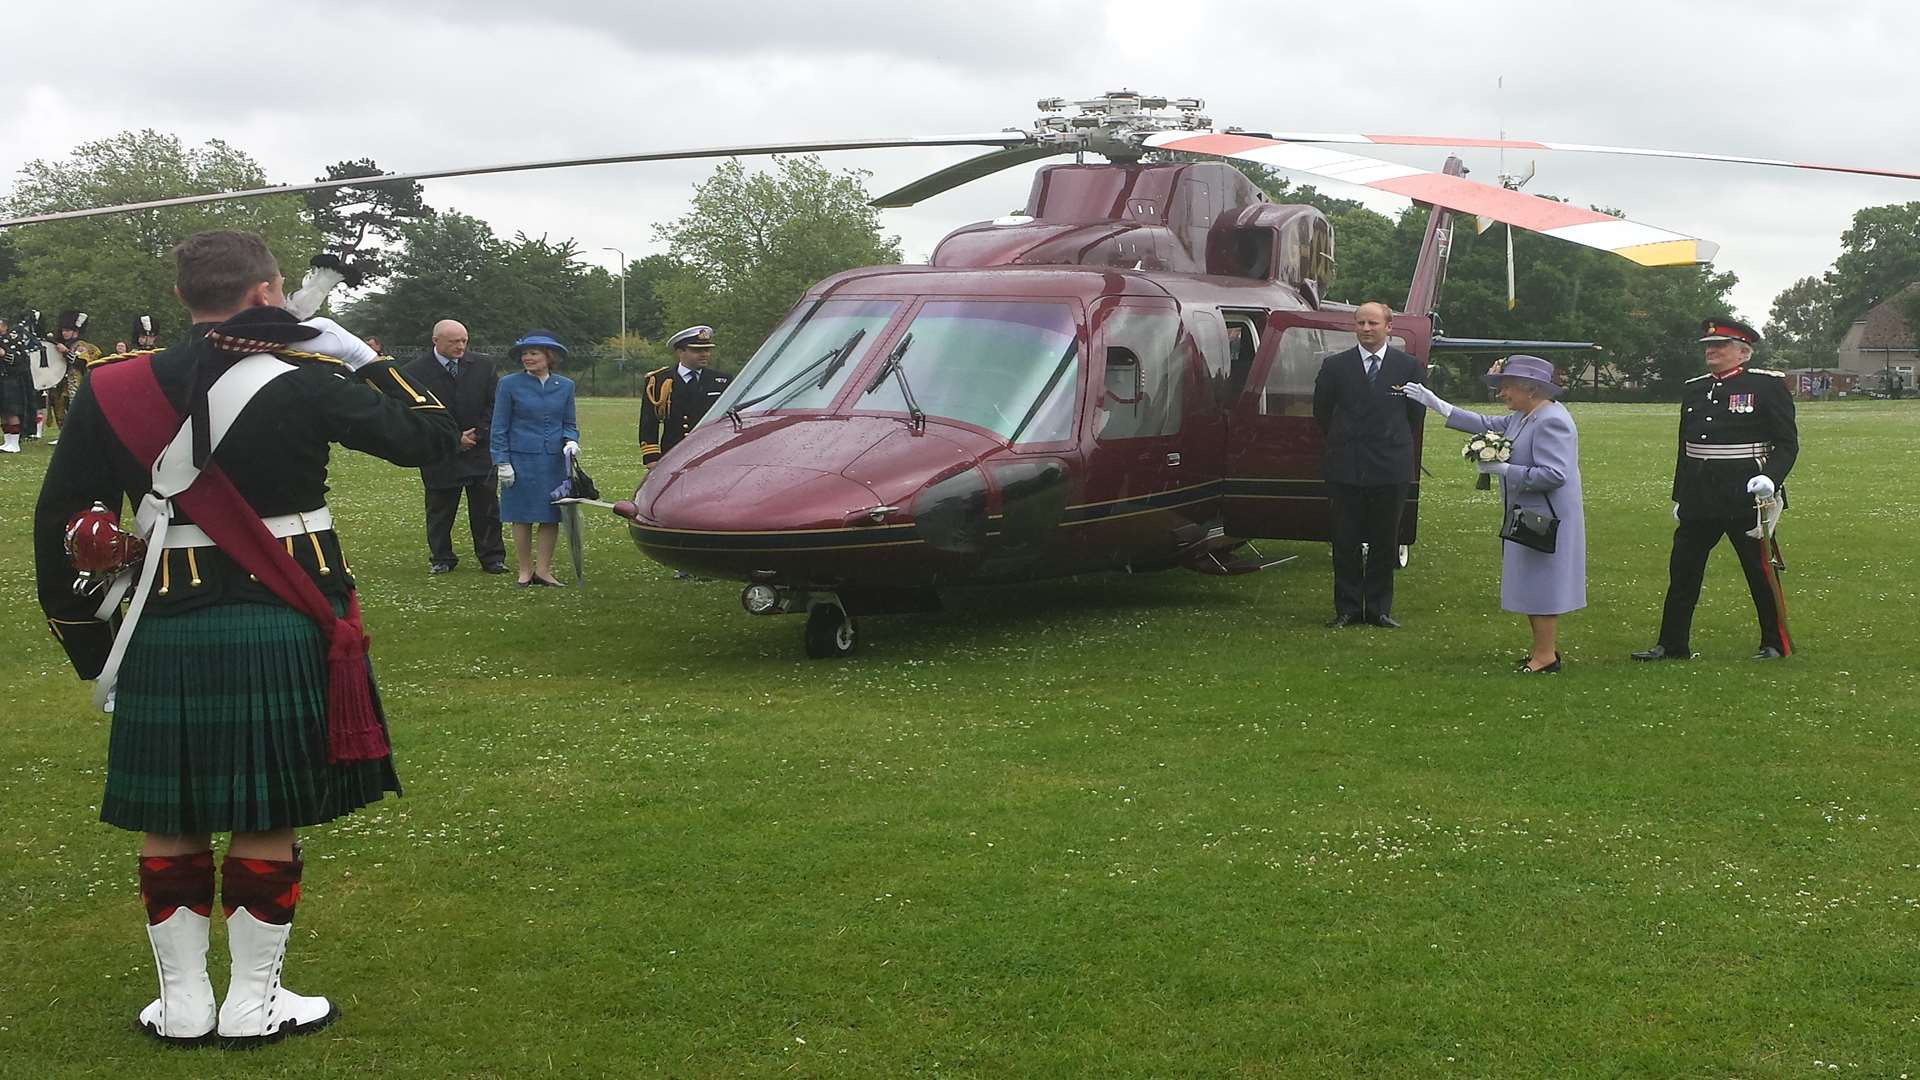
1274,447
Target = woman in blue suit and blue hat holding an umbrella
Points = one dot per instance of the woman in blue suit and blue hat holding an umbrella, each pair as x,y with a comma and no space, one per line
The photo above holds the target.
535,430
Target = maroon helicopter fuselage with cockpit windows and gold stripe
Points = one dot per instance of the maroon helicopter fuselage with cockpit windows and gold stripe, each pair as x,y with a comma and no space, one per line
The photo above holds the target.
1118,380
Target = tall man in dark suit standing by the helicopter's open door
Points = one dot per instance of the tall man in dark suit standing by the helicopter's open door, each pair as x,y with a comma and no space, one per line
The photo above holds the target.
1370,464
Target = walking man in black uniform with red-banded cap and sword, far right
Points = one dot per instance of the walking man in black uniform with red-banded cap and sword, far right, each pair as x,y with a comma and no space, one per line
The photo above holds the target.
1737,449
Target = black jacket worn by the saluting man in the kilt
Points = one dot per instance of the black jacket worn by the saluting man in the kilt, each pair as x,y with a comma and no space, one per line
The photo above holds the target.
276,454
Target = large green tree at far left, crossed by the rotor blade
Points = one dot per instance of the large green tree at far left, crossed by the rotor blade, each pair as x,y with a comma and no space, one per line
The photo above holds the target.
118,266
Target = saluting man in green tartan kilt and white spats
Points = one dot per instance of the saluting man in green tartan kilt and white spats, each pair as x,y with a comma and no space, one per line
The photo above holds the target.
241,693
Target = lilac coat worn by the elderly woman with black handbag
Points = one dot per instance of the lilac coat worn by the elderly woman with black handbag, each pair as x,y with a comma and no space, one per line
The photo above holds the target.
1547,464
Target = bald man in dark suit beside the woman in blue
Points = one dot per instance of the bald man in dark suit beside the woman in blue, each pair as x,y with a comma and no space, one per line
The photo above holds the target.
466,383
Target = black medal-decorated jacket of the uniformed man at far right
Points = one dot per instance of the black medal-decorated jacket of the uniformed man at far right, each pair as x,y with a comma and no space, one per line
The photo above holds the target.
1740,428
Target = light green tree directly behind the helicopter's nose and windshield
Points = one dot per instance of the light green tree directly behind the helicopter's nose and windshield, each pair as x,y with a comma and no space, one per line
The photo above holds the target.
754,243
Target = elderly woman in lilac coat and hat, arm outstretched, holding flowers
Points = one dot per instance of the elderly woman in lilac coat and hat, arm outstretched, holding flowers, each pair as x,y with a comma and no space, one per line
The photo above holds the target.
1543,476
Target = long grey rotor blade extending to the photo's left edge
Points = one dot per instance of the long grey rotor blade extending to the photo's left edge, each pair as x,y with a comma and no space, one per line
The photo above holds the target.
980,139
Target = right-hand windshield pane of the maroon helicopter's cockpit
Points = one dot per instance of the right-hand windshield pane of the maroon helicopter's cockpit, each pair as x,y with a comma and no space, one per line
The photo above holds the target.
1007,366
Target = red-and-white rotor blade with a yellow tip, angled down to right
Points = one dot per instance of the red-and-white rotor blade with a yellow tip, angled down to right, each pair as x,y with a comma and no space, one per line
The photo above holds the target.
1644,245
